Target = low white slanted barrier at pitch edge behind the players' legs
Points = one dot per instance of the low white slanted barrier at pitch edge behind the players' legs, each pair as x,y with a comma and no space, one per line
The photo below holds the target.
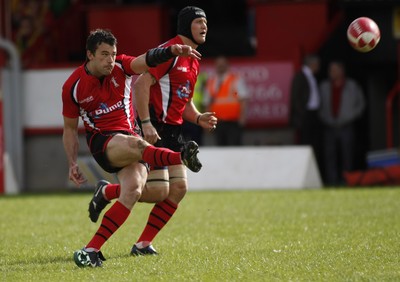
230,168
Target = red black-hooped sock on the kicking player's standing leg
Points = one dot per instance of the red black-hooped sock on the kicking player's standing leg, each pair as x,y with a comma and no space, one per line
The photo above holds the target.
112,220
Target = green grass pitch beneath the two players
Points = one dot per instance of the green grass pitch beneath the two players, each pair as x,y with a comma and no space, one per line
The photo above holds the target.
307,235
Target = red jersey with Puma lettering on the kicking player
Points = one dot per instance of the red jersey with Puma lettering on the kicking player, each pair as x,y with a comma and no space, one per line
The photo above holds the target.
105,105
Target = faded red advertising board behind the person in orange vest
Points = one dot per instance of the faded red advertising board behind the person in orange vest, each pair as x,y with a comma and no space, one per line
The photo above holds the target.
269,89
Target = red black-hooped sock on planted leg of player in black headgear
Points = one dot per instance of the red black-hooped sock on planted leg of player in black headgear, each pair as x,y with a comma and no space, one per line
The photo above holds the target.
158,218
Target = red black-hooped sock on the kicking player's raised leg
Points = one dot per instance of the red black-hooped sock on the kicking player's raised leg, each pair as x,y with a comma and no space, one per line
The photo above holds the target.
156,156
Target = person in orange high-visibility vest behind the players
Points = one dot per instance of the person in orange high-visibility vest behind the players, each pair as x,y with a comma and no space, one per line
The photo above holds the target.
227,95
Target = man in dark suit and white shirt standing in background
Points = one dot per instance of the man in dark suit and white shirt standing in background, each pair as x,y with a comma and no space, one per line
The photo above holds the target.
305,103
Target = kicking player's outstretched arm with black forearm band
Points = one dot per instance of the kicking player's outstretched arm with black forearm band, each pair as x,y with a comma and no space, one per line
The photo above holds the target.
159,55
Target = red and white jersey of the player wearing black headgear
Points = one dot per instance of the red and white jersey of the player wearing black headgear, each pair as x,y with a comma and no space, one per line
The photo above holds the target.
175,83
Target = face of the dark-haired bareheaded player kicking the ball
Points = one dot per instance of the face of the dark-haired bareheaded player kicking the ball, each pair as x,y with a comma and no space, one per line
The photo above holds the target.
103,60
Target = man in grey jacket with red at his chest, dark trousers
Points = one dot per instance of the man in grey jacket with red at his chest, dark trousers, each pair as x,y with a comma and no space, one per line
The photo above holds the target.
342,102
